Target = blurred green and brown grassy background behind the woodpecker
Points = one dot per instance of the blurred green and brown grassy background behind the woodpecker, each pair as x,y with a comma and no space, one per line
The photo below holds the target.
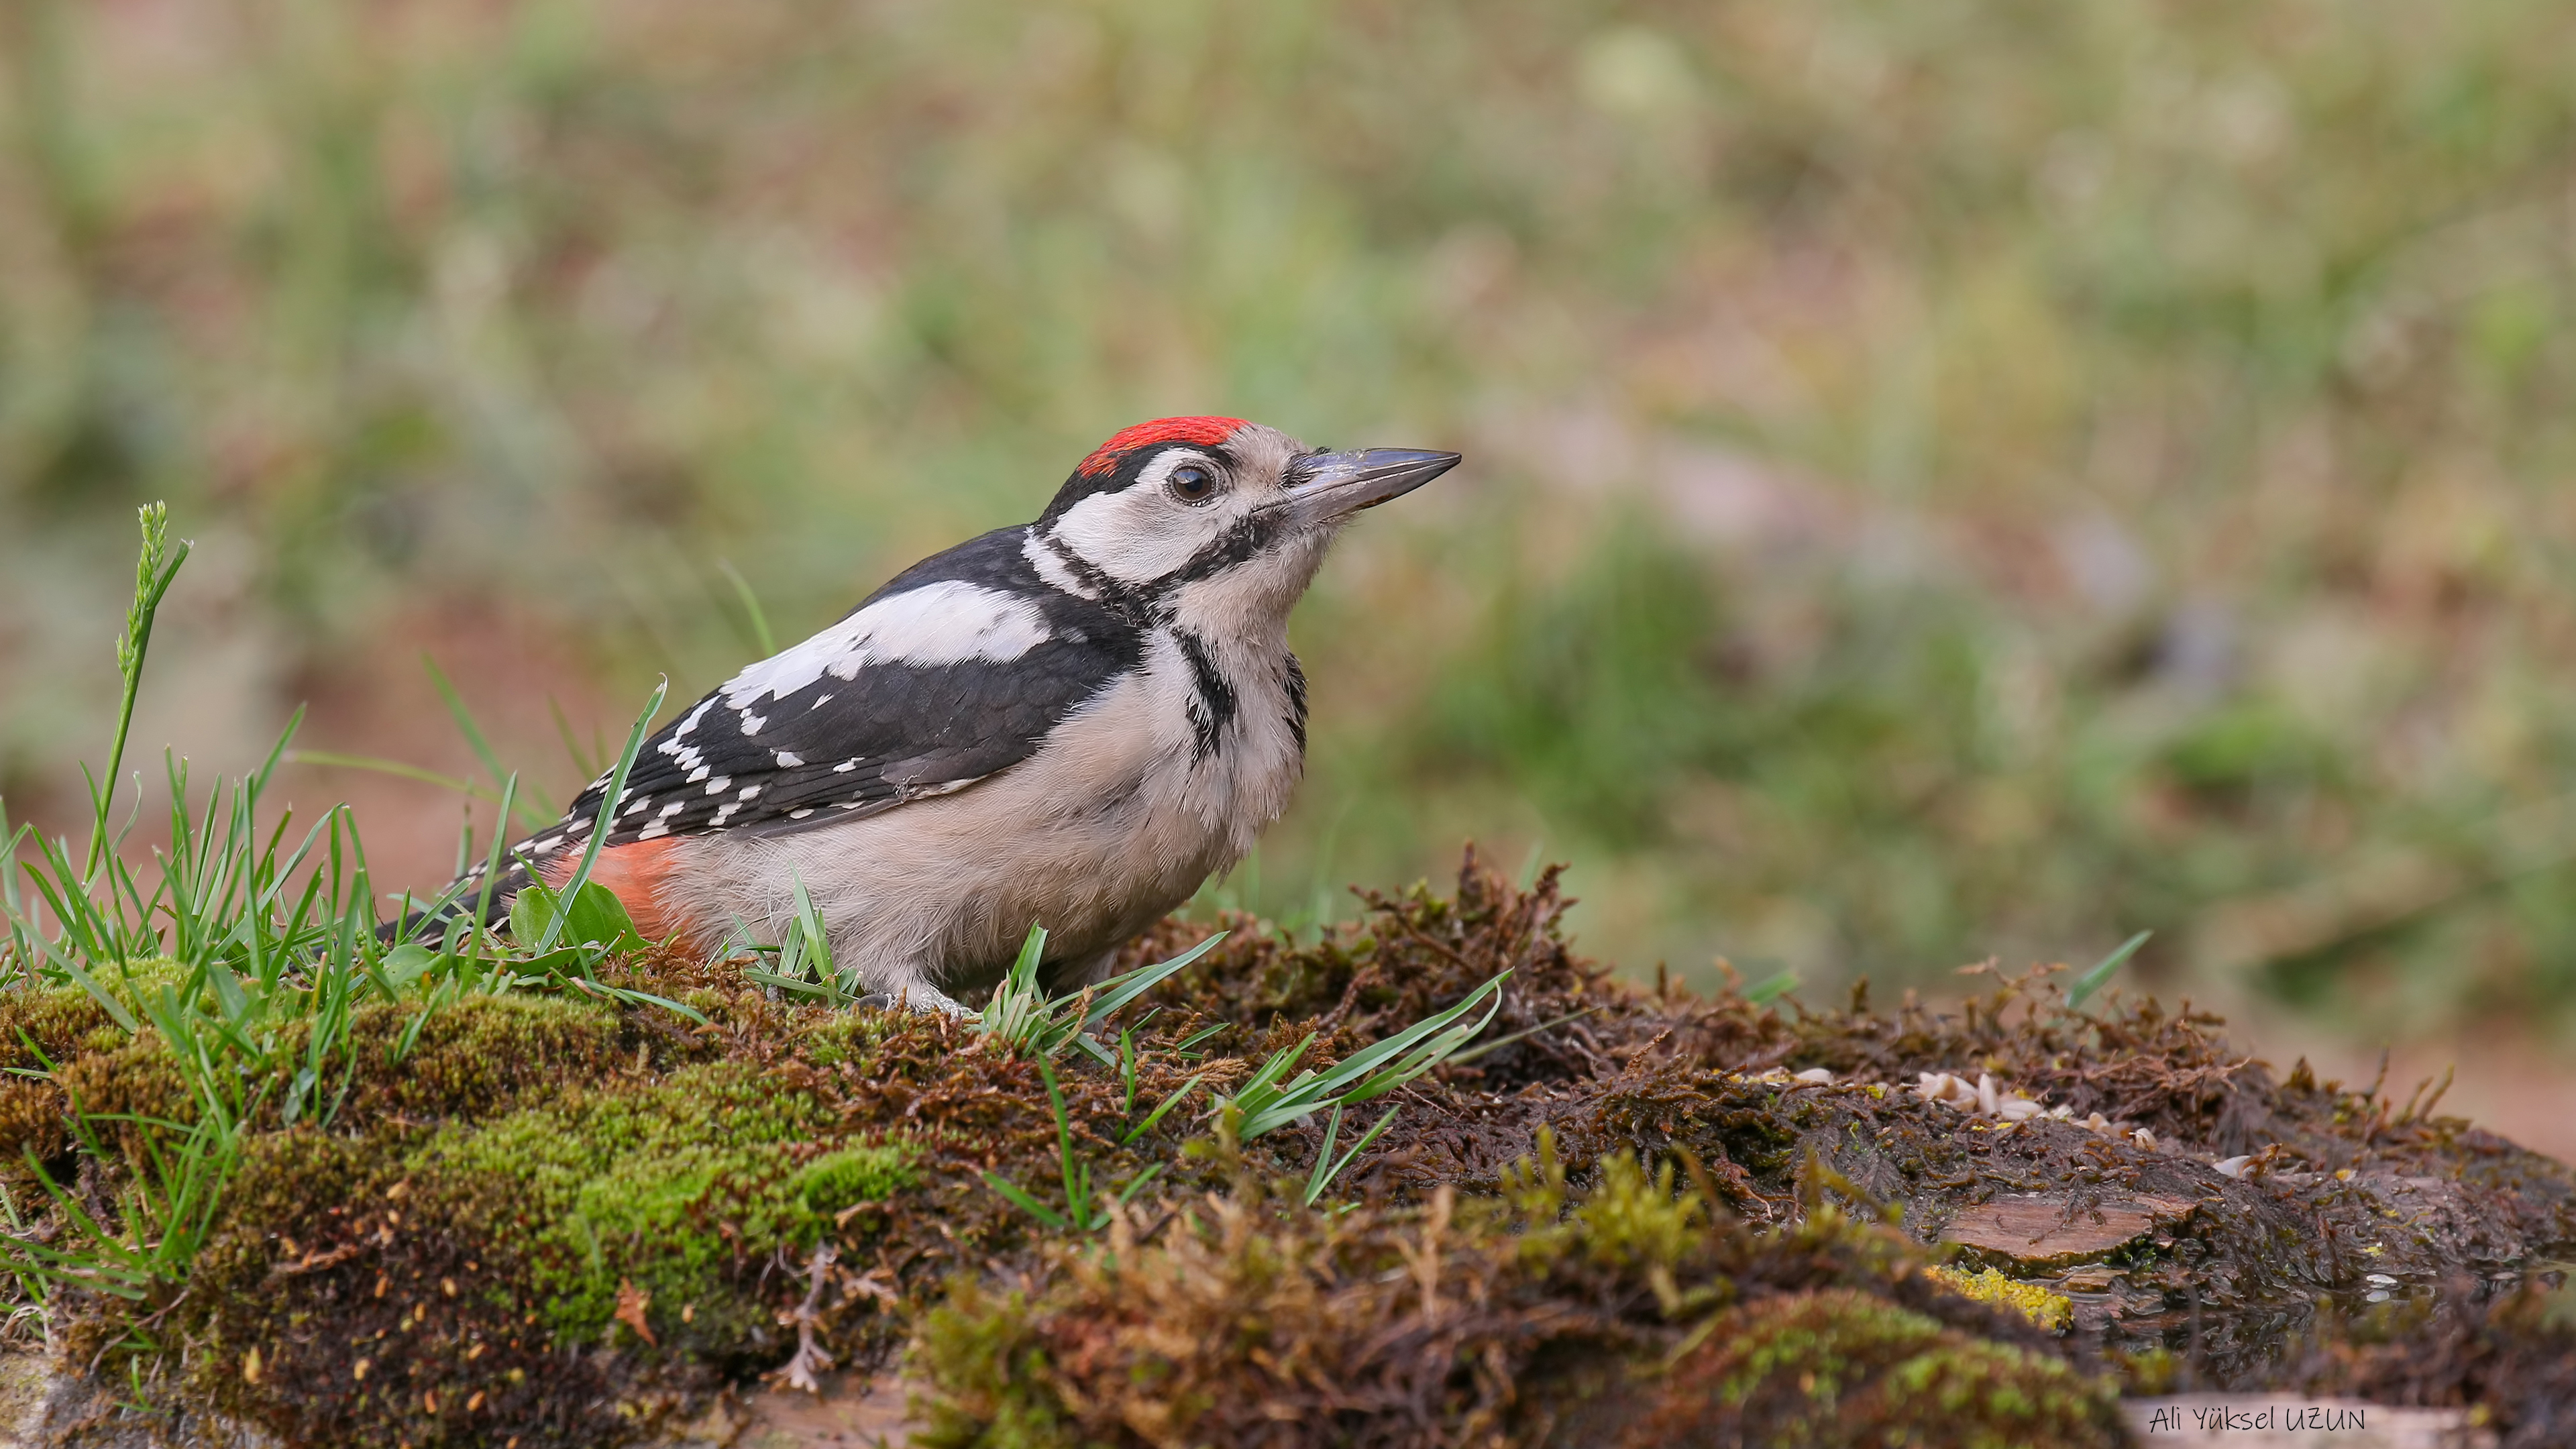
1946,478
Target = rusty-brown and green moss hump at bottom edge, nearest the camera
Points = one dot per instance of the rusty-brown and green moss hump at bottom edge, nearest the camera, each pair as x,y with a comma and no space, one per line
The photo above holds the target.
1251,1321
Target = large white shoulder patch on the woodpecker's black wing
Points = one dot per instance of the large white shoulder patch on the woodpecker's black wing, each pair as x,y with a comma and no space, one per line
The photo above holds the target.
934,625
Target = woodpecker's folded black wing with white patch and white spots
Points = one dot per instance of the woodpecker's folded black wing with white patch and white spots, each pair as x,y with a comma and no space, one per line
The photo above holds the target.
954,672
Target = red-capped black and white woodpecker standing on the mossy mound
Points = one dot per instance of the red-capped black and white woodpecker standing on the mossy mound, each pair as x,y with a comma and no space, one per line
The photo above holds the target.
1068,723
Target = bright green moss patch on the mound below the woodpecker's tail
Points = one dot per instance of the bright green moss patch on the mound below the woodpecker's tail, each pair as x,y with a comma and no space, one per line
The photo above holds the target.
661,1187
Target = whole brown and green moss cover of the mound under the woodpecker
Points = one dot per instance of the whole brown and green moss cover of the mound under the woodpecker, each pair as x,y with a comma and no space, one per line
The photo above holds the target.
442,1218
